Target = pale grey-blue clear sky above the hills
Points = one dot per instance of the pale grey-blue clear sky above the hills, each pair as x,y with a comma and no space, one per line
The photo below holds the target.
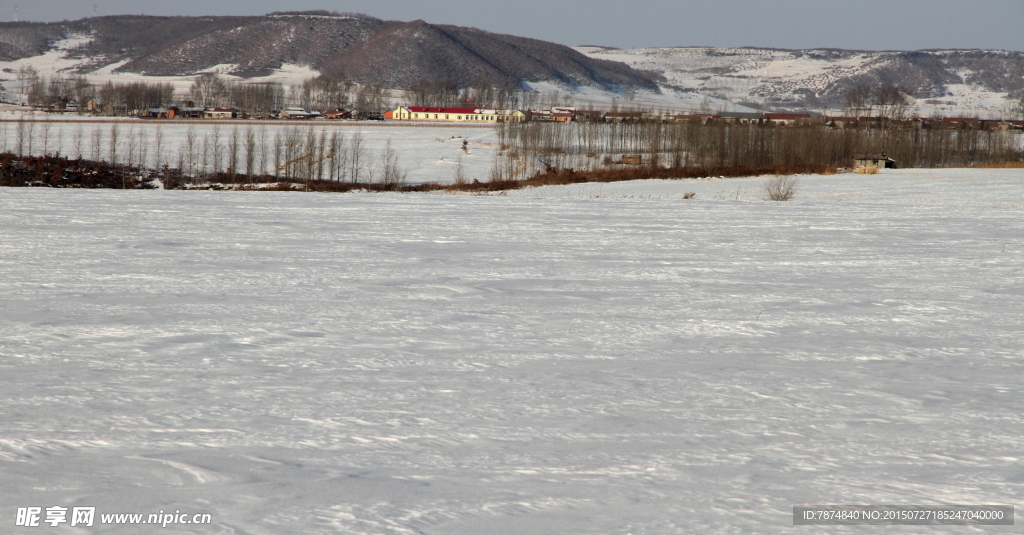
867,25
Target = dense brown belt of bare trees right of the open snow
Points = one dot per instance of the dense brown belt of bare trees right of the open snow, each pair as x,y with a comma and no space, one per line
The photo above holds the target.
530,148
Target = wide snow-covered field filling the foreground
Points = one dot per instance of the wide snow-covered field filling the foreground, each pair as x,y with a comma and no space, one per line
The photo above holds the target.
579,360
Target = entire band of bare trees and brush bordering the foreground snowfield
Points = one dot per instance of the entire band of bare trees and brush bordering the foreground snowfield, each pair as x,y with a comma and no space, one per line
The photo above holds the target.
529,154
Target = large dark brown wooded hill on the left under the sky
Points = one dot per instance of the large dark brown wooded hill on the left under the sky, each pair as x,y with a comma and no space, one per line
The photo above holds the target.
360,48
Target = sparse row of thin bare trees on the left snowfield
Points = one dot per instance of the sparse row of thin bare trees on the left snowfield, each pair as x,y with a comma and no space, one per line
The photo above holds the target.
243,155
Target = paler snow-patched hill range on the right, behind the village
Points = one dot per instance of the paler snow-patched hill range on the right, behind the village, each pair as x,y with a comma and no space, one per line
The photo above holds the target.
949,83
